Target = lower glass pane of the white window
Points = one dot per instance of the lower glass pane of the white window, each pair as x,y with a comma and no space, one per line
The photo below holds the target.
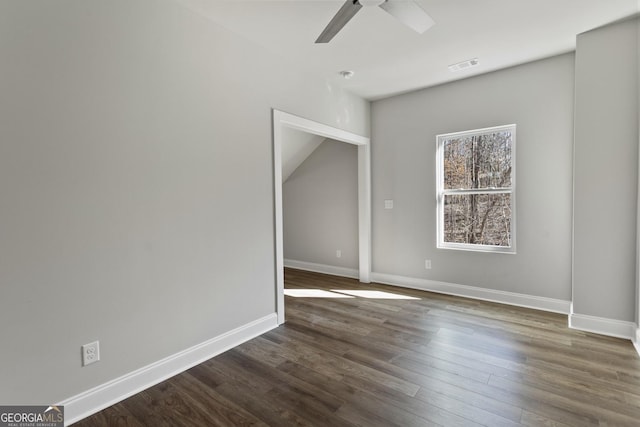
482,219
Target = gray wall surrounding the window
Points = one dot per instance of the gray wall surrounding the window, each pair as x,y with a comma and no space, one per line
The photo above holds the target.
538,97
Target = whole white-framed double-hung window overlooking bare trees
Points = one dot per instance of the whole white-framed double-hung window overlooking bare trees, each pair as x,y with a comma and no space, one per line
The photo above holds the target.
476,189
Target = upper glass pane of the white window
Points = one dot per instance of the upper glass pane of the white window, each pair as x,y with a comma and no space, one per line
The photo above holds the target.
478,161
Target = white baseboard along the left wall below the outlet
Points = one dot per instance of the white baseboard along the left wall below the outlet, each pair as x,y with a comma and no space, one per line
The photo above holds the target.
105,395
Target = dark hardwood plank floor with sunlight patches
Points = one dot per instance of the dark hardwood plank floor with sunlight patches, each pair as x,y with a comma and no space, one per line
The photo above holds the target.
434,360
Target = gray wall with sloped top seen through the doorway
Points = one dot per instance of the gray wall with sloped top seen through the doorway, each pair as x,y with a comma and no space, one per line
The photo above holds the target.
320,207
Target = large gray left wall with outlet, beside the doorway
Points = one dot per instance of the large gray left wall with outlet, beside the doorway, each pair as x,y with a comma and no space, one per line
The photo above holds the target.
136,185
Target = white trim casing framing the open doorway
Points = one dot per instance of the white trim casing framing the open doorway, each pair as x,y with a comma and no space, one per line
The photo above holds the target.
282,121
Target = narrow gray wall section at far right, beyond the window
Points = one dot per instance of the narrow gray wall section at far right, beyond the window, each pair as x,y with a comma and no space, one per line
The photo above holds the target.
606,164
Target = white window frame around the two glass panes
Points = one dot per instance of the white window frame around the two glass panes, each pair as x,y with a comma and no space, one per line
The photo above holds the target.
441,192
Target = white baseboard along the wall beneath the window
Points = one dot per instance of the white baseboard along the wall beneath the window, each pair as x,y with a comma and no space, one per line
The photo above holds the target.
511,298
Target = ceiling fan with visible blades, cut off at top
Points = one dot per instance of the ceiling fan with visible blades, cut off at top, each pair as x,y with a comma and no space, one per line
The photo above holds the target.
406,11
